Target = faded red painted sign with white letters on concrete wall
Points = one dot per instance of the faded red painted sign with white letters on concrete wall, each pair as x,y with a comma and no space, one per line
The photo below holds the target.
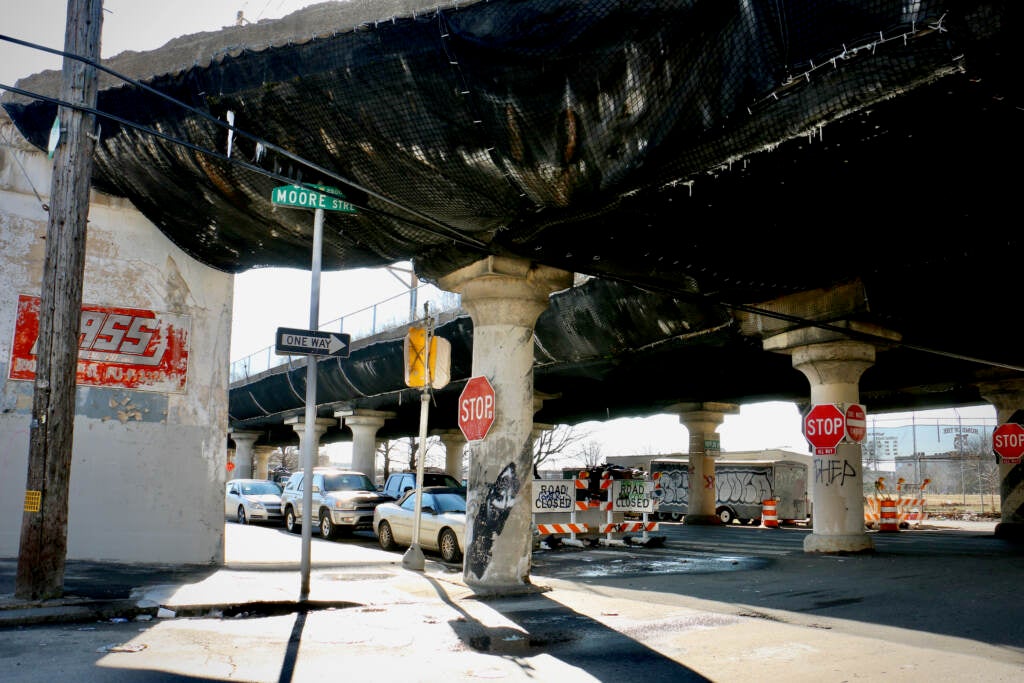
133,349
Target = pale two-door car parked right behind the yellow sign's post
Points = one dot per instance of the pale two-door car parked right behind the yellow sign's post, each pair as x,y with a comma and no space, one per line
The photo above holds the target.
443,522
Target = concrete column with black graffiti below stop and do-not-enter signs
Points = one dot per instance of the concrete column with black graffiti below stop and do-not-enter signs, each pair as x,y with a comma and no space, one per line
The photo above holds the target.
833,365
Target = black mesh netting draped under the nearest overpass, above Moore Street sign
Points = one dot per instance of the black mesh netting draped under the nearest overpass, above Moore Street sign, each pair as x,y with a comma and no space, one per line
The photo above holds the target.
596,136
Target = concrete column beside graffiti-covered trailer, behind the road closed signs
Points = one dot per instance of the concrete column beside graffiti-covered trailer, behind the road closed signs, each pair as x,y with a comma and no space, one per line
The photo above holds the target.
702,421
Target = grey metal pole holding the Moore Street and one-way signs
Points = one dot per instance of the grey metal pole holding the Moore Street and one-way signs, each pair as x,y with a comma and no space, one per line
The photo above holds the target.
310,435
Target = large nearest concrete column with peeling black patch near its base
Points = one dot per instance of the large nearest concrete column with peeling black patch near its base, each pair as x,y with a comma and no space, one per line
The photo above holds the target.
504,298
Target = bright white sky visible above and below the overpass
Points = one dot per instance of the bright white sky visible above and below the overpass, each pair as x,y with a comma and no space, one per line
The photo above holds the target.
270,298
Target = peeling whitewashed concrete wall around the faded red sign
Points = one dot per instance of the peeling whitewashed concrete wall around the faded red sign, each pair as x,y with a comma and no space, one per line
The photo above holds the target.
148,464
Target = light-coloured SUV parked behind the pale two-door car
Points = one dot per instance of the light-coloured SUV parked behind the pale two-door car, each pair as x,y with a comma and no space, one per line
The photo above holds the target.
344,501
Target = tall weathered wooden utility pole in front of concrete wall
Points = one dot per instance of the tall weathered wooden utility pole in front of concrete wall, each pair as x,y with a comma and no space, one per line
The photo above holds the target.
45,521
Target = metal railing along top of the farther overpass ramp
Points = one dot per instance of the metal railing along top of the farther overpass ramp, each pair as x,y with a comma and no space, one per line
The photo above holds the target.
393,313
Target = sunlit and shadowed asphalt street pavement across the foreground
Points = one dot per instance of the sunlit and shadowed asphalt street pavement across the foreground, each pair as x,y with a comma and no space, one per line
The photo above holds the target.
709,604
